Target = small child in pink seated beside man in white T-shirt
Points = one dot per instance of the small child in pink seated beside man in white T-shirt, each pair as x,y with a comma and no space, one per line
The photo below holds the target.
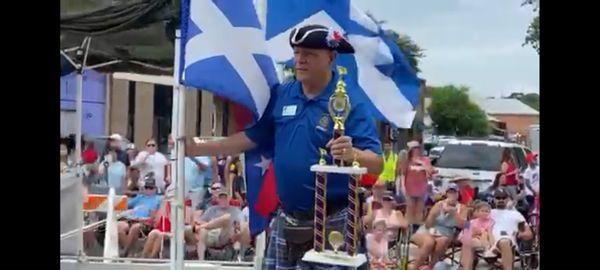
478,235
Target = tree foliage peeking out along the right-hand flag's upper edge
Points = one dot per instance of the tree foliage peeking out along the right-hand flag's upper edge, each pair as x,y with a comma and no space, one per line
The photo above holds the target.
407,46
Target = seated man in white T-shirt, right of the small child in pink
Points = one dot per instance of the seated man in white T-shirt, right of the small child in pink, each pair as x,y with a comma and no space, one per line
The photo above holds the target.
509,225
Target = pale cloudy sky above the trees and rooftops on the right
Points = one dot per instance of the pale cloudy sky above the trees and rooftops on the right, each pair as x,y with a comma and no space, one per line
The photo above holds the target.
476,43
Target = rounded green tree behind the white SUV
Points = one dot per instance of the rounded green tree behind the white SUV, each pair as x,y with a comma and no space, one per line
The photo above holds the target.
454,114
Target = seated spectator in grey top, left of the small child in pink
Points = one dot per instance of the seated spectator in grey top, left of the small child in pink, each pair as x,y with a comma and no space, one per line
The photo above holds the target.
440,226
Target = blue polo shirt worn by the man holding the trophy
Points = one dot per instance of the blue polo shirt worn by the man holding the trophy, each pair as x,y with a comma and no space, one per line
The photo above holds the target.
296,127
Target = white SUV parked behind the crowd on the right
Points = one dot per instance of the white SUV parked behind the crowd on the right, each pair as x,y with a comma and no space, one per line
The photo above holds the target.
477,159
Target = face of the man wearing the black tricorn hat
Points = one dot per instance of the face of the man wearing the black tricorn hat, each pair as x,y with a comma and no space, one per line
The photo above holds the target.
312,63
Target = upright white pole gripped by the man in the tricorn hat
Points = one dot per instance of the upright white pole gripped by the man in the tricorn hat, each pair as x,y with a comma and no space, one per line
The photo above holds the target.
177,130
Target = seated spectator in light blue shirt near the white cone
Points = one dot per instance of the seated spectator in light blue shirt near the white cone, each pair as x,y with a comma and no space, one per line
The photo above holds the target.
137,219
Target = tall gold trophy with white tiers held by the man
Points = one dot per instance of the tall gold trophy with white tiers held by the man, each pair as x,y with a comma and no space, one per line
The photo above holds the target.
344,251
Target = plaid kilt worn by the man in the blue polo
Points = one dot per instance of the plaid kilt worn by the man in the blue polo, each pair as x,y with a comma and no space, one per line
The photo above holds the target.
276,255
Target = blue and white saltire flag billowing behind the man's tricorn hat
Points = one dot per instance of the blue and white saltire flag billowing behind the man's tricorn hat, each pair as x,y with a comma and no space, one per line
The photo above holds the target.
378,67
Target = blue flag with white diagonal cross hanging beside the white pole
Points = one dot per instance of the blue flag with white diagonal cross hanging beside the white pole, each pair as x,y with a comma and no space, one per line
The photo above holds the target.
223,50
